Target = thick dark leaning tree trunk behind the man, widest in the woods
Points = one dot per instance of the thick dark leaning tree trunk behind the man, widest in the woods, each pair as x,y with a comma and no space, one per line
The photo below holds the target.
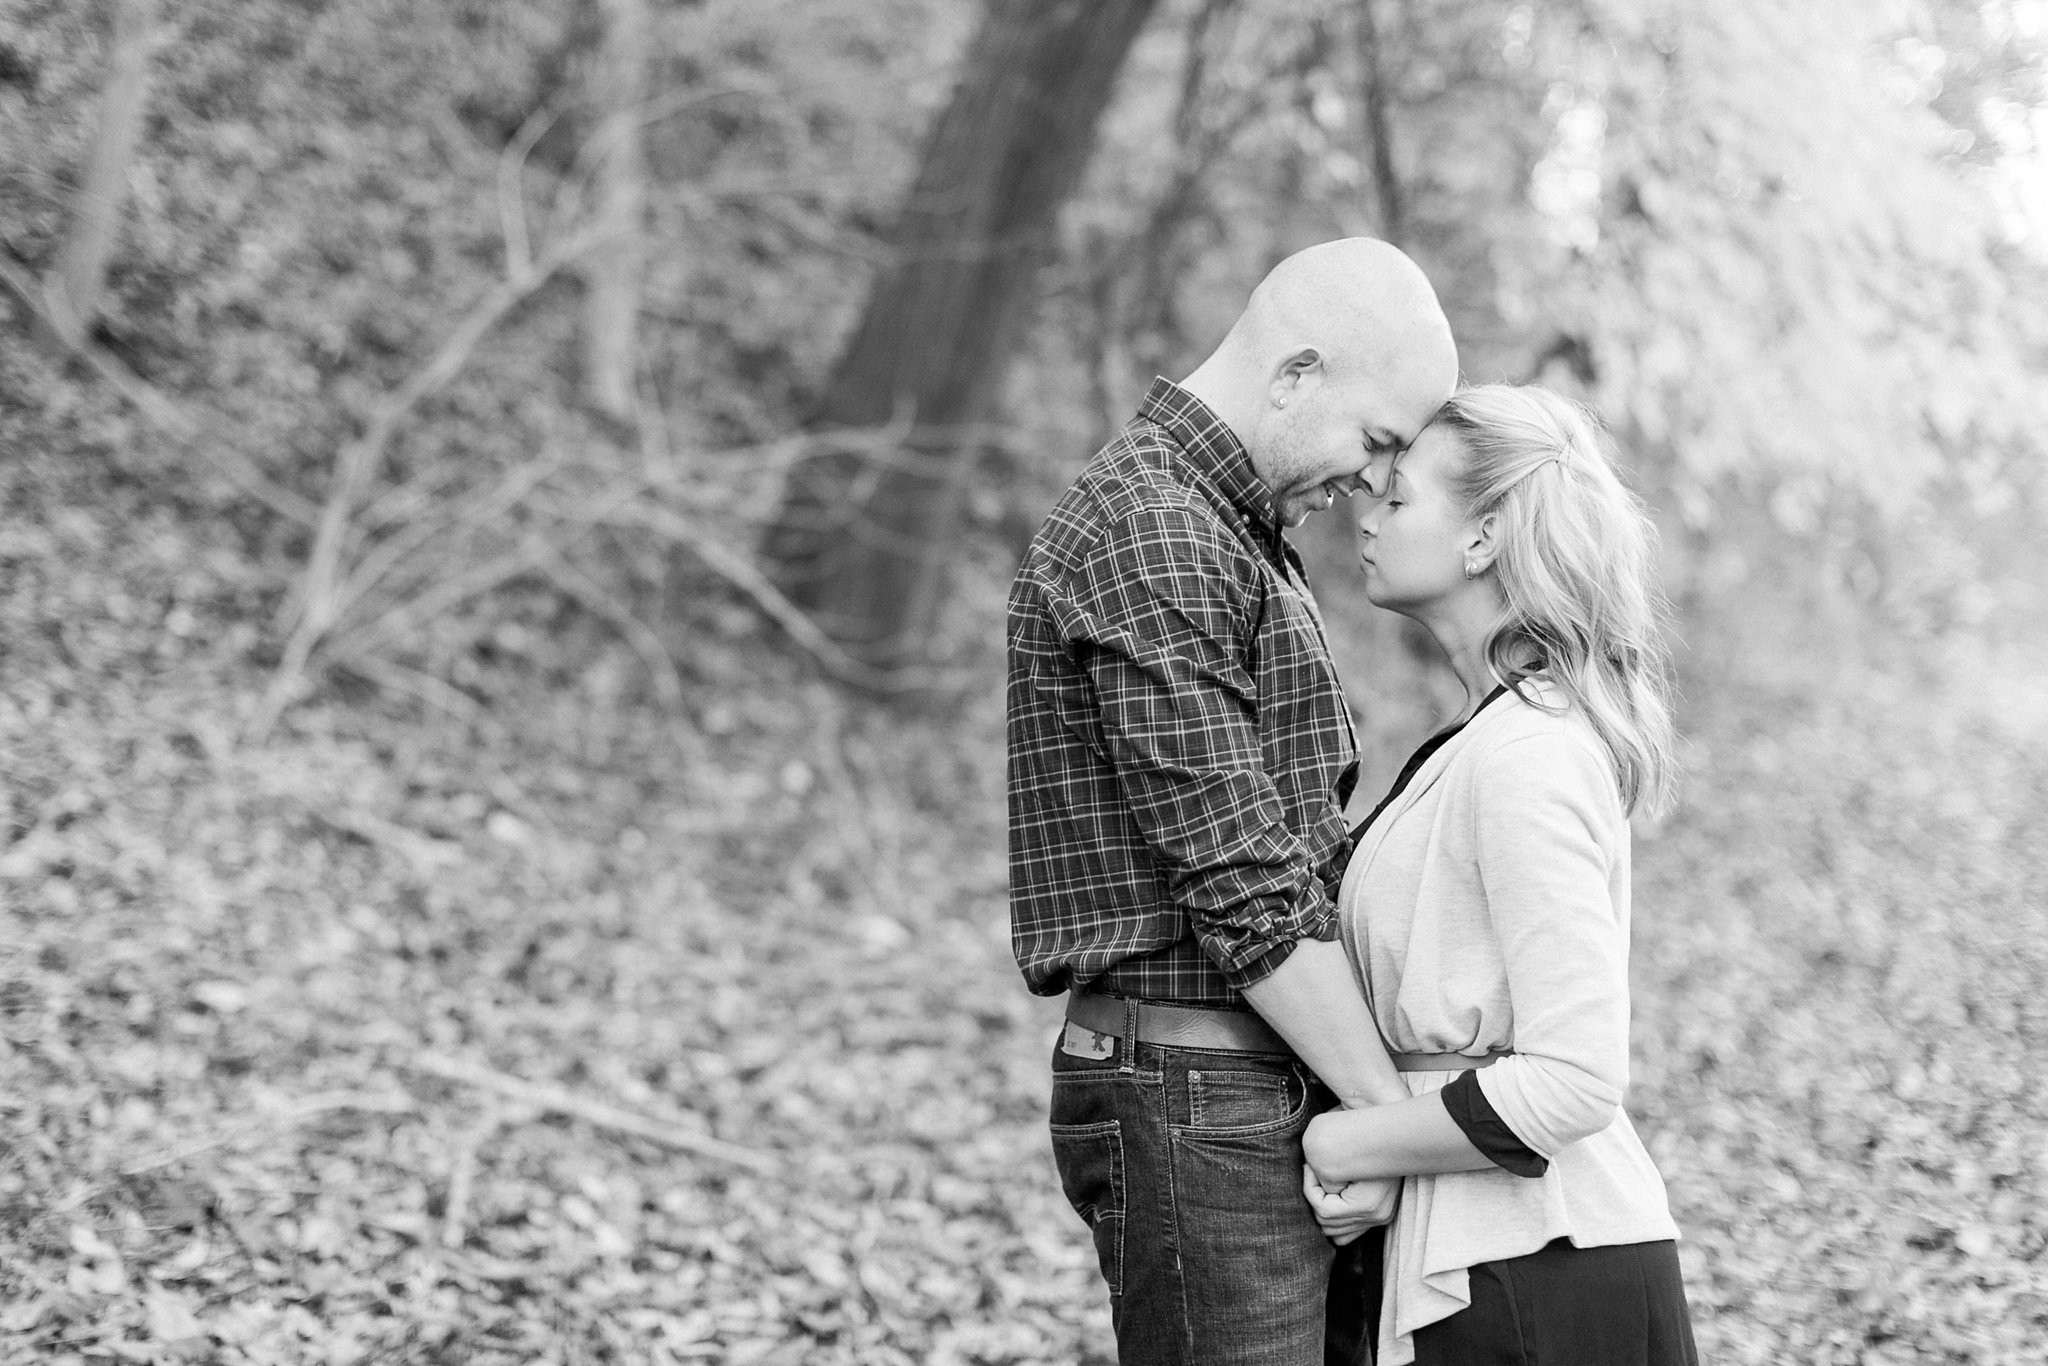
863,550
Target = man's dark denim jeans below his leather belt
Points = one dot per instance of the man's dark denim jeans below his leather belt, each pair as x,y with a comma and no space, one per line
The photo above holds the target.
1187,1168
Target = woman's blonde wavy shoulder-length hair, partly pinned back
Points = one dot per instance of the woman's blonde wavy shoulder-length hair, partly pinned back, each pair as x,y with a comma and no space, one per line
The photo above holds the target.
1576,566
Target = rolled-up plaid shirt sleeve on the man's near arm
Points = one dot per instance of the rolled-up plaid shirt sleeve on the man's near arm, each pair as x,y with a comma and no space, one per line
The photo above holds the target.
1162,624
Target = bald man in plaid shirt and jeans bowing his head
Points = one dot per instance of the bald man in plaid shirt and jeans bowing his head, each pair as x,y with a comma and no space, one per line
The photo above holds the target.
1181,759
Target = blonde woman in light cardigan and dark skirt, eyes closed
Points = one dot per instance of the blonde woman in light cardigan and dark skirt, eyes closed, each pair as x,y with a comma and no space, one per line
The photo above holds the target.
1486,910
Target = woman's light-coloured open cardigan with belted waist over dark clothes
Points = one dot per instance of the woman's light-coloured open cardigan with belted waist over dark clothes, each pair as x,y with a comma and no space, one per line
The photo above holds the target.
1488,908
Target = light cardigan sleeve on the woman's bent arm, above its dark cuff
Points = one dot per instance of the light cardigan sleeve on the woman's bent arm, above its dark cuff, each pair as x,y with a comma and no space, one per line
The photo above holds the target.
1549,830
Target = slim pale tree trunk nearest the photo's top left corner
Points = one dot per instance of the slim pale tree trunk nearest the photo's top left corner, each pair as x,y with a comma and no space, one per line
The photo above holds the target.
75,288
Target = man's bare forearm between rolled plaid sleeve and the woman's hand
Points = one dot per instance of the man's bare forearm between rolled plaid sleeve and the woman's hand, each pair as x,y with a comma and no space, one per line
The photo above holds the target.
1314,1002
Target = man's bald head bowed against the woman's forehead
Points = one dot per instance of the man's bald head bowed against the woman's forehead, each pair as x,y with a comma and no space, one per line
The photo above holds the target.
1338,364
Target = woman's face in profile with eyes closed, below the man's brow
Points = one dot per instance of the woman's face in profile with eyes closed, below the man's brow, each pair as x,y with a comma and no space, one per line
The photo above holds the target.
1418,540
